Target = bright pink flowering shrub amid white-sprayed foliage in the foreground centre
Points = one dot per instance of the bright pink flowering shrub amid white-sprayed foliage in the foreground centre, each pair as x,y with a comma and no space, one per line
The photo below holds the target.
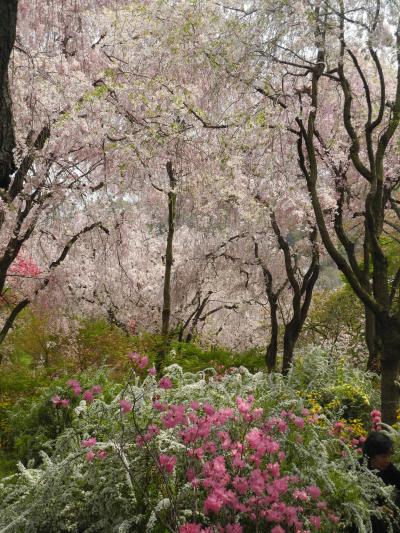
236,464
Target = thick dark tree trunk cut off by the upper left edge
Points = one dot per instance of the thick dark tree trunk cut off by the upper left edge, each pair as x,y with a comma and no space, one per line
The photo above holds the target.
8,23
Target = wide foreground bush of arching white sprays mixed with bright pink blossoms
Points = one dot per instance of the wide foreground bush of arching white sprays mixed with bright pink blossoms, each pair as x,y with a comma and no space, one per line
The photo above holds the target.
194,452
